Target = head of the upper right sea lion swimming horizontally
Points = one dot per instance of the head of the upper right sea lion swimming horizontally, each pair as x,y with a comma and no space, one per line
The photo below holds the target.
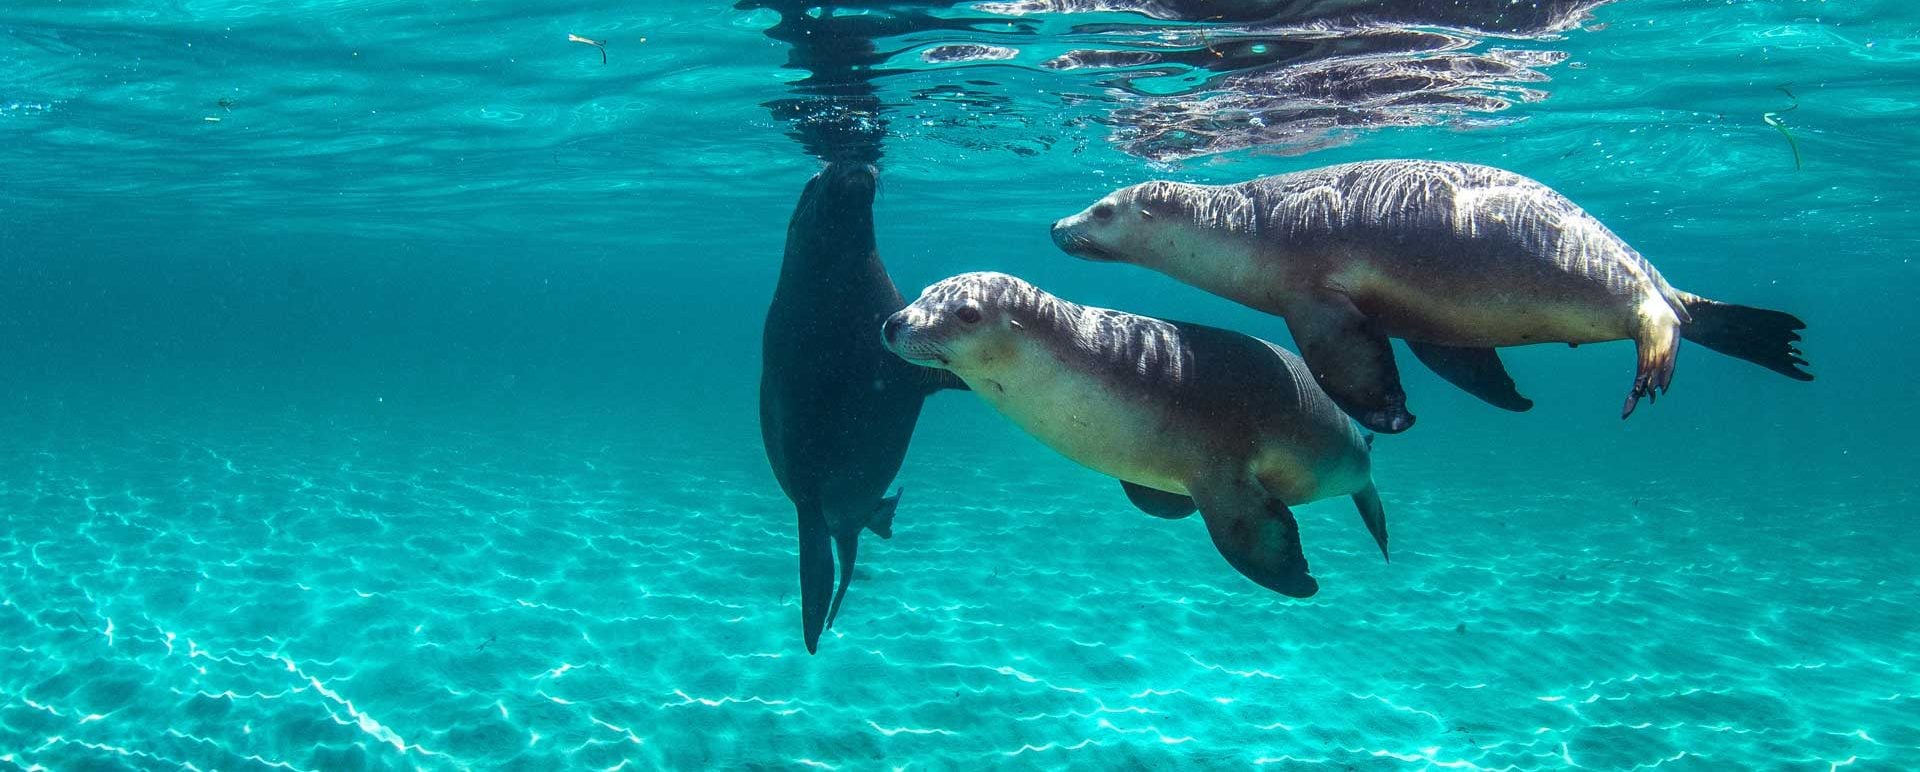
1155,224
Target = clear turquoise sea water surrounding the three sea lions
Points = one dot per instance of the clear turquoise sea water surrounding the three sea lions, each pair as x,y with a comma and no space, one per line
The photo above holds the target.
406,416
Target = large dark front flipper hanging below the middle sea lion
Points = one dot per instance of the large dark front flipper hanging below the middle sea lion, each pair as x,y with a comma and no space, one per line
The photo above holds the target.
1257,535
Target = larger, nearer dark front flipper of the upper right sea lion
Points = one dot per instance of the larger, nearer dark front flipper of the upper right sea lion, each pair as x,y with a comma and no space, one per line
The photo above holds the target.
1353,364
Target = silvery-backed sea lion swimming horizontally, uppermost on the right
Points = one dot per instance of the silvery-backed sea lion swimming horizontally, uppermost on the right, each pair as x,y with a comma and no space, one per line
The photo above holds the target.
1454,258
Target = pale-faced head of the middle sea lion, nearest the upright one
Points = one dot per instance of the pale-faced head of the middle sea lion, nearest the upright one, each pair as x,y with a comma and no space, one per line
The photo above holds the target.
969,324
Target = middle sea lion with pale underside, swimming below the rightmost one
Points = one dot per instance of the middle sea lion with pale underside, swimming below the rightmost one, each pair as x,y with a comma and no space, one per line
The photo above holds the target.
1186,416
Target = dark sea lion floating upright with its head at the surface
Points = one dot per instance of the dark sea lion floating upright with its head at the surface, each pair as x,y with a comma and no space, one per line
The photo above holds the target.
836,408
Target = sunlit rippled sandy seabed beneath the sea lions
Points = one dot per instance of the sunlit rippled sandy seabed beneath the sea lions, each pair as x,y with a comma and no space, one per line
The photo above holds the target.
249,594
